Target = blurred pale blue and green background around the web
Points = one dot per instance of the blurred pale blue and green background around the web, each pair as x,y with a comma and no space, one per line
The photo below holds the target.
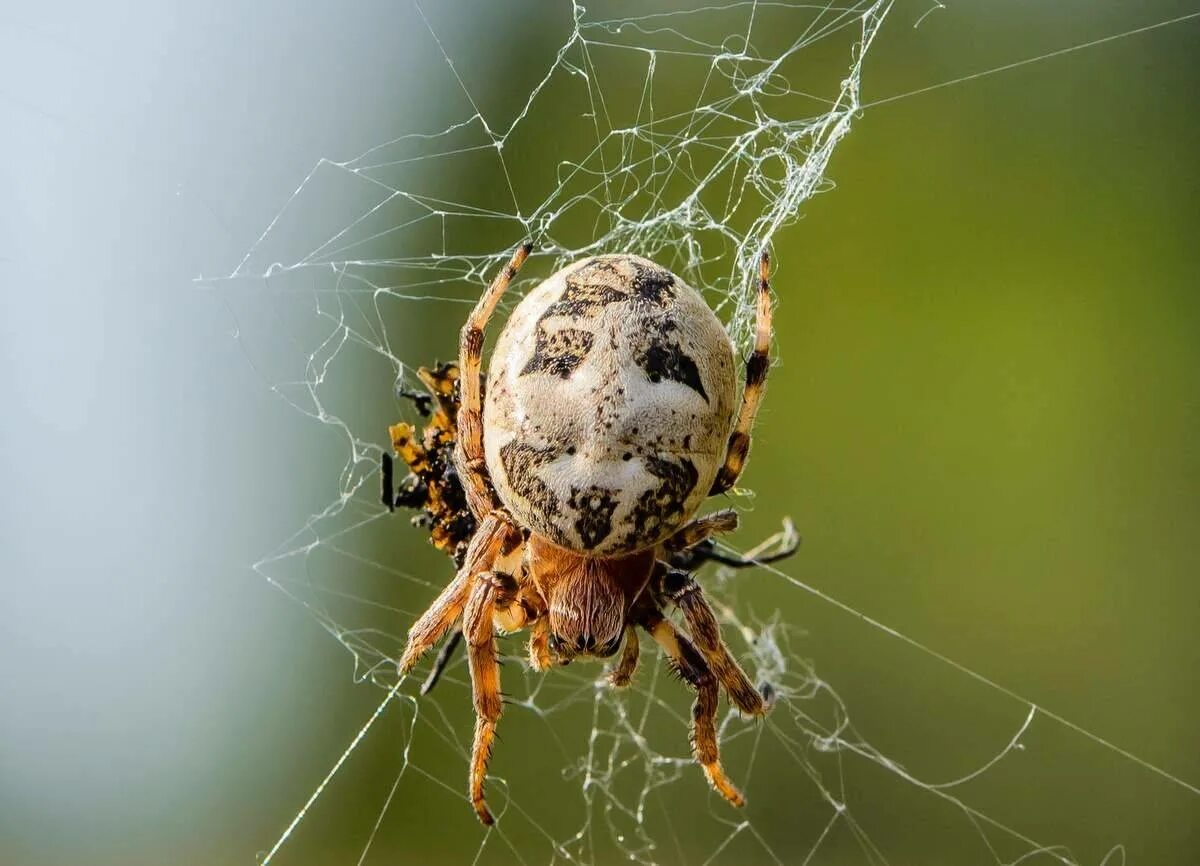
985,425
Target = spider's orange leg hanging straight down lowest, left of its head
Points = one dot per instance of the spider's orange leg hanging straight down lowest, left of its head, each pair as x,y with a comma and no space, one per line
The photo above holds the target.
490,592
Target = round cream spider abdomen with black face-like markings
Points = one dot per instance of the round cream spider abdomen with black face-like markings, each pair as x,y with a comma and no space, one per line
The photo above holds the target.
609,406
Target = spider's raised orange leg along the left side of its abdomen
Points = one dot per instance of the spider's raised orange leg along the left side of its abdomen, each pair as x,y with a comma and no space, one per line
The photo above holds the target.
471,417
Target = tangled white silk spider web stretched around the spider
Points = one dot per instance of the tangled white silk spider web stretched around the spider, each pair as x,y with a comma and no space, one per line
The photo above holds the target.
689,137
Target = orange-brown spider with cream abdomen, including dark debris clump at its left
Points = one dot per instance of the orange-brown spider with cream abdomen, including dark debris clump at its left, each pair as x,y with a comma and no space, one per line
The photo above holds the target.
571,495
